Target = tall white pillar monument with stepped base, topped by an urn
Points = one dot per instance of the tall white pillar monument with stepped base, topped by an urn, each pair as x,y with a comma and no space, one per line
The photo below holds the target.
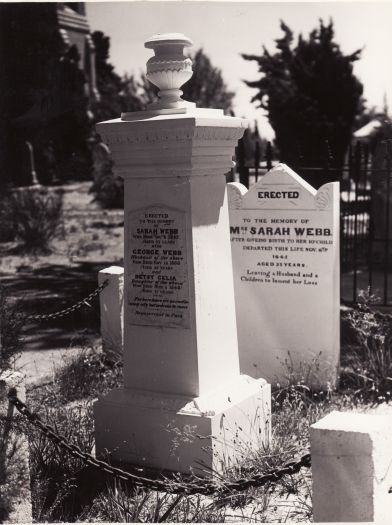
185,403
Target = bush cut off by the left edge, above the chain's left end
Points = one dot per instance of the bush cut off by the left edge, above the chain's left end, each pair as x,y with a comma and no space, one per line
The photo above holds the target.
11,324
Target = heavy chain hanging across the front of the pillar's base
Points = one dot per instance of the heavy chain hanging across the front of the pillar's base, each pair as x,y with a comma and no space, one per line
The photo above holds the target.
194,486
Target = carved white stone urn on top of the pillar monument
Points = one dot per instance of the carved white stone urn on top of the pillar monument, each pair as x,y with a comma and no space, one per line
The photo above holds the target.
169,69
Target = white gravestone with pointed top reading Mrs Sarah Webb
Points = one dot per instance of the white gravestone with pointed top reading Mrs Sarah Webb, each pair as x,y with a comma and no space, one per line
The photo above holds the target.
285,248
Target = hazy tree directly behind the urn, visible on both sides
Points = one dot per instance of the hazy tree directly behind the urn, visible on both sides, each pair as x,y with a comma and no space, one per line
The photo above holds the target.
206,87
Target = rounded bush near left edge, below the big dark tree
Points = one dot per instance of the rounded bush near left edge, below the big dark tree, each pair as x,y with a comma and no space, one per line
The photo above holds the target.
35,216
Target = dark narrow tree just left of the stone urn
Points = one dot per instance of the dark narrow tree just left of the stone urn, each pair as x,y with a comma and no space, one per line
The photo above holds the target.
117,94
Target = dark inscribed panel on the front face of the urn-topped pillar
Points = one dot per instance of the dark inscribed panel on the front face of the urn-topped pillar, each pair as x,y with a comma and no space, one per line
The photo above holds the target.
159,288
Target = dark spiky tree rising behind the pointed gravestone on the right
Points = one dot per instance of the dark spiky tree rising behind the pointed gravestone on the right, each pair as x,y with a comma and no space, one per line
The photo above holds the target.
311,95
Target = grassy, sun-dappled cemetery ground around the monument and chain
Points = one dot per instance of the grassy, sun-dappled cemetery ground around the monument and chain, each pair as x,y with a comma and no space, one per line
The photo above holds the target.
66,371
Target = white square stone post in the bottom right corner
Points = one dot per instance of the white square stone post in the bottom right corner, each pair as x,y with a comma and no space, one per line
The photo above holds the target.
351,468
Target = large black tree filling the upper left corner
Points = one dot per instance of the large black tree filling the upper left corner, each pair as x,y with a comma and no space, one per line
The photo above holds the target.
43,98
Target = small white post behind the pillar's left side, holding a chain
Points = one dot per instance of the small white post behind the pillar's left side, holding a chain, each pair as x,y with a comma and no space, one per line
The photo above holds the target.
111,301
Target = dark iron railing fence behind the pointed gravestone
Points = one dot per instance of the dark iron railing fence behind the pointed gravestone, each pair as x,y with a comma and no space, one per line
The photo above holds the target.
365,213
